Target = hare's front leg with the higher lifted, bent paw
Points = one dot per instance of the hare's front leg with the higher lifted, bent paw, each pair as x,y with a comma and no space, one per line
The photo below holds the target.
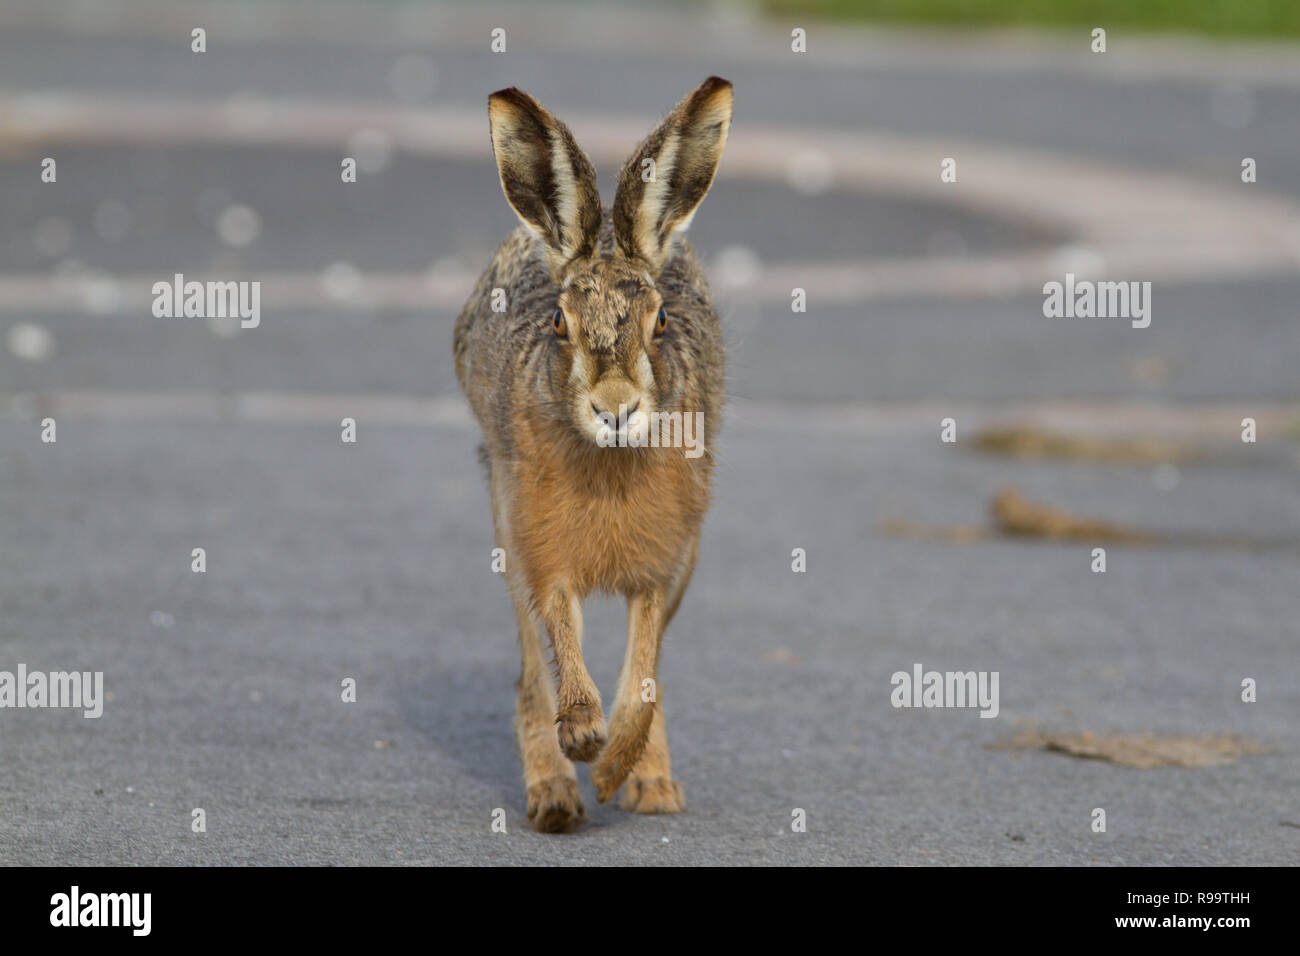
579,720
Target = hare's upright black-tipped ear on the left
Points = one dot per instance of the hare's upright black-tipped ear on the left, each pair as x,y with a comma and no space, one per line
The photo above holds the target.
548,180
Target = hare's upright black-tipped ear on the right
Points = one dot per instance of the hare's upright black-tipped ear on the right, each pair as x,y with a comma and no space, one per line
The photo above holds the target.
670,174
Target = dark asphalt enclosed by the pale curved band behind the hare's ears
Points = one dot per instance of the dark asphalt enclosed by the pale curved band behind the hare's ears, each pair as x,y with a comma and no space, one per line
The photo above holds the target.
422,211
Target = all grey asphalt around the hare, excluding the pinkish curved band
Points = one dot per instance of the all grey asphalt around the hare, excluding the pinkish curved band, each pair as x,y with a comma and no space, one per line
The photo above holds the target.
372,561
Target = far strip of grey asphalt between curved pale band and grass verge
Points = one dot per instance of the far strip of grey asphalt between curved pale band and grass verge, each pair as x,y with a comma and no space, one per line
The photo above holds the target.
1198,124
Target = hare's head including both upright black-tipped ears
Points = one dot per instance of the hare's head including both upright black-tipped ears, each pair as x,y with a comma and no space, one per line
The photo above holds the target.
614,352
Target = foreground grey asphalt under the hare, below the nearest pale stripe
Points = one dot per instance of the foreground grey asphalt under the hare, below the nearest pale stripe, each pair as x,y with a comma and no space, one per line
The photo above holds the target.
372,563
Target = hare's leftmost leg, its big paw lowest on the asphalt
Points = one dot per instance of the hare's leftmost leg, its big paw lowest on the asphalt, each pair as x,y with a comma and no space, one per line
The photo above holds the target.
551,780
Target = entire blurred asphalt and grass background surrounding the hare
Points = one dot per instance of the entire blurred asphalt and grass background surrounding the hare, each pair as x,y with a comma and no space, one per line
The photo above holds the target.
925,302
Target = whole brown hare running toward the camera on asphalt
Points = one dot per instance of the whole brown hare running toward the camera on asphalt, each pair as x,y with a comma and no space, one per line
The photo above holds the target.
591,328
